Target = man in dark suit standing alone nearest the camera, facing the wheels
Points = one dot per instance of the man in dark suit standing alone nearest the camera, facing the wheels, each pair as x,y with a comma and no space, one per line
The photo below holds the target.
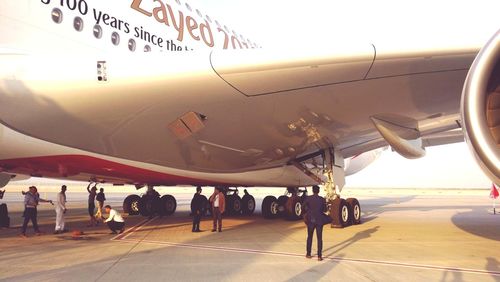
315,219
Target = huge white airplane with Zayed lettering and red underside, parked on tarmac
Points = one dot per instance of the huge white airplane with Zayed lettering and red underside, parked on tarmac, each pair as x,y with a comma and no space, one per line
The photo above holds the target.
158,93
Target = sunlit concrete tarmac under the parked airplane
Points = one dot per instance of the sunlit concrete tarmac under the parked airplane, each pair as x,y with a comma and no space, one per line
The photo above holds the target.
406,235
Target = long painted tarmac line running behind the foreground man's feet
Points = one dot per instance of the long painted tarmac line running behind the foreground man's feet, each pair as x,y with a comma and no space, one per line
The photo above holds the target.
345,260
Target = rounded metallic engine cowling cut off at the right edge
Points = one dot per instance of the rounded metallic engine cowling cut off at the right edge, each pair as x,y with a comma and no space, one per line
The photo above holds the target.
480,108
